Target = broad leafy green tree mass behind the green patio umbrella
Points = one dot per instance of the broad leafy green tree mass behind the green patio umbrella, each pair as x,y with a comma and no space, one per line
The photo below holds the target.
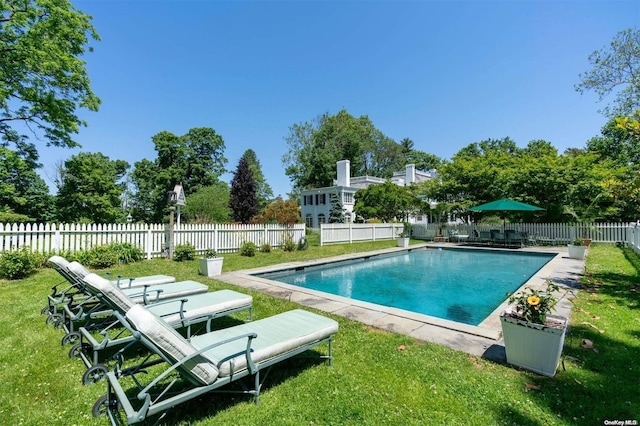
582,182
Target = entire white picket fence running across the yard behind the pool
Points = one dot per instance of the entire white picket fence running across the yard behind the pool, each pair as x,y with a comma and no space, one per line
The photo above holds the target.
152,238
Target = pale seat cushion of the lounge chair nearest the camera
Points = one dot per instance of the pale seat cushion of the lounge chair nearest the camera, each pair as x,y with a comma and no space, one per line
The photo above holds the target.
277,335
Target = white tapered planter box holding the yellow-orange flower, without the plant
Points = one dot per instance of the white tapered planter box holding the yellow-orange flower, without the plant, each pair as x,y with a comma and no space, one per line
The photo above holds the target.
534,347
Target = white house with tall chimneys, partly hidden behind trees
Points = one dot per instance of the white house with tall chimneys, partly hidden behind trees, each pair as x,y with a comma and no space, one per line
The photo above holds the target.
316,202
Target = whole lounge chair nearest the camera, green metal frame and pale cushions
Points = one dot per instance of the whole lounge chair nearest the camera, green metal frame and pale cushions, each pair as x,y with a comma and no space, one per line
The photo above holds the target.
208,362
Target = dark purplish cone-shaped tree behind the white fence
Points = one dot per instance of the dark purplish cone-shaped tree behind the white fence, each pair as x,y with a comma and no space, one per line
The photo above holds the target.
243,199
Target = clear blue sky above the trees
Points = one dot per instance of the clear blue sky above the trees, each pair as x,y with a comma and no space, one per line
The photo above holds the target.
445,74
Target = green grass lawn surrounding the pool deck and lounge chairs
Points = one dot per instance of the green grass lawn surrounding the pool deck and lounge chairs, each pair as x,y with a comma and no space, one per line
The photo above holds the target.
371,381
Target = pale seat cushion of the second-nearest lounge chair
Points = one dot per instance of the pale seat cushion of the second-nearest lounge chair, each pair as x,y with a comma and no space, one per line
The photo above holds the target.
207,304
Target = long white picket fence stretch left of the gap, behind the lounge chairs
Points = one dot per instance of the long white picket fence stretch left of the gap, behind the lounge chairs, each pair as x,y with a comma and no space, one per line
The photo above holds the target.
152,239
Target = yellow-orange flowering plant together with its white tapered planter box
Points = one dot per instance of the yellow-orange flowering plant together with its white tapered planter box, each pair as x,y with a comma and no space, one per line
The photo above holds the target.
533,339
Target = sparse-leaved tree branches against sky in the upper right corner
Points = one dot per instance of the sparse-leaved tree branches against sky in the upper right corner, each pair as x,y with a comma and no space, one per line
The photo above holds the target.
616,69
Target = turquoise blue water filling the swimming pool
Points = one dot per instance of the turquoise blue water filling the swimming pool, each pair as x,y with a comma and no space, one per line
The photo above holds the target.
458,285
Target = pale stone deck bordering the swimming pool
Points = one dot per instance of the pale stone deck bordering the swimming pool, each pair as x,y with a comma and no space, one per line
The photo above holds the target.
484,340
